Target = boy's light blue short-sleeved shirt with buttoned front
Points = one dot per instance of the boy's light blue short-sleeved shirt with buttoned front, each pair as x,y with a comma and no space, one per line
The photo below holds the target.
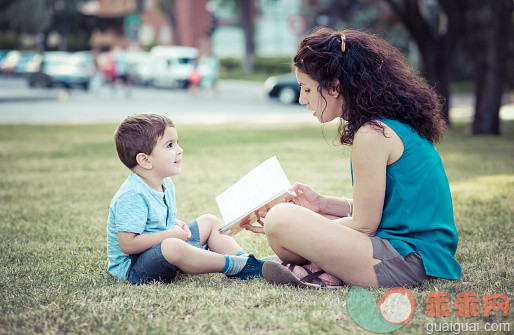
137,208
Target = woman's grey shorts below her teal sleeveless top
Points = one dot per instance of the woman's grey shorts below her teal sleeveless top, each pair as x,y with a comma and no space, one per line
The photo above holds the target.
394,270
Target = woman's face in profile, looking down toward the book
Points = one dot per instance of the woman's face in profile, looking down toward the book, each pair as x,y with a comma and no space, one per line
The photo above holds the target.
327,107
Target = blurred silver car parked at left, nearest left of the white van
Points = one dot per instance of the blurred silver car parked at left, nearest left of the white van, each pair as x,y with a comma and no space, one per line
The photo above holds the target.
60,68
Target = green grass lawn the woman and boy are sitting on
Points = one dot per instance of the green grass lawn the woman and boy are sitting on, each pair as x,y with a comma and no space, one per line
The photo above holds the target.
56,183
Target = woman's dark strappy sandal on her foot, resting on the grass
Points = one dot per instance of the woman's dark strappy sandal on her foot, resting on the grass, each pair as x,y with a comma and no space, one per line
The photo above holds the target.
309,275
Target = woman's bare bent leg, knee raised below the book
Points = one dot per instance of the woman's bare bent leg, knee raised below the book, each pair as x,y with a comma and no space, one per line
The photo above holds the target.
297,234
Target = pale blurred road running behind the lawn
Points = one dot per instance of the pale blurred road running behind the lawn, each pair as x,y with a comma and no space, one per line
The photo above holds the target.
235,102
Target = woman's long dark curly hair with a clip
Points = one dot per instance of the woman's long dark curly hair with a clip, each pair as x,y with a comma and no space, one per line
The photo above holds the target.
374,80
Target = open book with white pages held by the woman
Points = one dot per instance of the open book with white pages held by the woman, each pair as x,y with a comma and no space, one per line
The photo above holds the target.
262,188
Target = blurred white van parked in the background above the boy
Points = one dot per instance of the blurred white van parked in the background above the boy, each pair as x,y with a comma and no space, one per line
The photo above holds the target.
172,65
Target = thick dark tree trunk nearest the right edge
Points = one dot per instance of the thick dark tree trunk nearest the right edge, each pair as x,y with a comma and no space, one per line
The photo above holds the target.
490,68
